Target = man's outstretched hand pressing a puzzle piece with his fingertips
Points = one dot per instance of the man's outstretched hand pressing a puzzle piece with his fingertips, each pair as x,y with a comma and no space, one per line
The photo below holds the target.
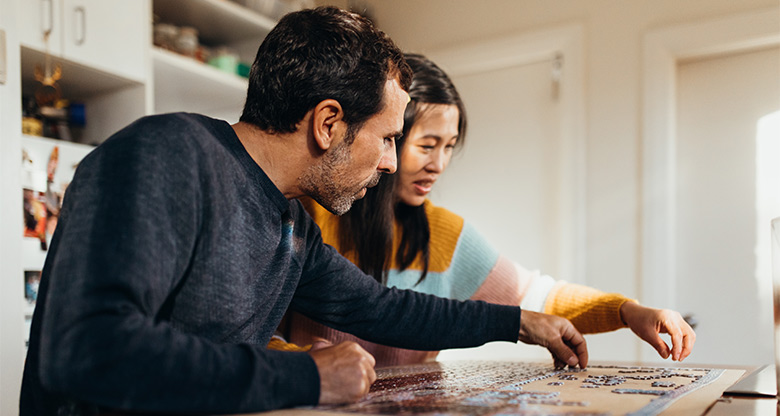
558,335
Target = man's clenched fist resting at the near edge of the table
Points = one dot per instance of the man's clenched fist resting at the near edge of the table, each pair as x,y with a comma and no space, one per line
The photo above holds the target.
346,371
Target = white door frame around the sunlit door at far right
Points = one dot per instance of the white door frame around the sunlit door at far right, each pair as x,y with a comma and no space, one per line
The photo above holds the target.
663,49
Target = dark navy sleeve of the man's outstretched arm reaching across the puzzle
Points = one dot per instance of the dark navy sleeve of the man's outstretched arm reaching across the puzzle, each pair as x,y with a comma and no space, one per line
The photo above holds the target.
336,293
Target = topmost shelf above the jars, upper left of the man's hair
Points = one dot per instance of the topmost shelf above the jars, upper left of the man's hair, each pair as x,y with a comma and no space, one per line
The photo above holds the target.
218,21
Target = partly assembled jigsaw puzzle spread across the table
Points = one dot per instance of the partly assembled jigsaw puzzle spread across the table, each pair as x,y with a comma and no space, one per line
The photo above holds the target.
486,388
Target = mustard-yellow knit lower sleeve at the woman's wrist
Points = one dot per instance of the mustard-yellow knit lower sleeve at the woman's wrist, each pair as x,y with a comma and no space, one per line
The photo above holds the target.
590,310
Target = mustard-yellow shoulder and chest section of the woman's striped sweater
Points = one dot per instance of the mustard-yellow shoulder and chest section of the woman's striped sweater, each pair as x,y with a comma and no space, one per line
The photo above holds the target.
444,225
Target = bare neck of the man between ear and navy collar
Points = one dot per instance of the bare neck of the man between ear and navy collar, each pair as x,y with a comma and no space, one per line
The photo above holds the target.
276,154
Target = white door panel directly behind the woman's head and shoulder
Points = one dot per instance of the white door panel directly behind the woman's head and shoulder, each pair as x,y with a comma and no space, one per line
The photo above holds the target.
504,181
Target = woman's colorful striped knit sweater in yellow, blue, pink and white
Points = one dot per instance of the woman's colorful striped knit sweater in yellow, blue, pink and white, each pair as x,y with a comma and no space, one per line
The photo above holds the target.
463,265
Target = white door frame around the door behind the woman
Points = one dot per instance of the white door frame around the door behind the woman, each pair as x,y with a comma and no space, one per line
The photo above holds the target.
565,43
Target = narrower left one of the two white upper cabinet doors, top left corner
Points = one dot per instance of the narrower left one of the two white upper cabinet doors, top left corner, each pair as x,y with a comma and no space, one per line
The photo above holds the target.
36,17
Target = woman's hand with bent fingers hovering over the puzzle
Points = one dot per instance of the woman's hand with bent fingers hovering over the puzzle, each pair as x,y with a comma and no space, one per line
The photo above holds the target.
647,323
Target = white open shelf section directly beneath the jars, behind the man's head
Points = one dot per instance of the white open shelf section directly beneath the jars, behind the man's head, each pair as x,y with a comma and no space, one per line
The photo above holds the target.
184,84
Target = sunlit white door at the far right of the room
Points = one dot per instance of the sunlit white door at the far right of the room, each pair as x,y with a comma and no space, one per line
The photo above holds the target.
722,210
